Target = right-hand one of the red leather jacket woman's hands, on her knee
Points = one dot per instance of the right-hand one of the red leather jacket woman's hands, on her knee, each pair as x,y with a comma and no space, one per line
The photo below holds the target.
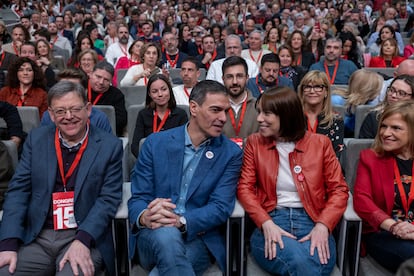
319,239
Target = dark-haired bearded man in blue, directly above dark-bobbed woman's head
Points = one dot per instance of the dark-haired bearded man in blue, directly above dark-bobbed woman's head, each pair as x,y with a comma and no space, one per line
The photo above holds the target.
268,76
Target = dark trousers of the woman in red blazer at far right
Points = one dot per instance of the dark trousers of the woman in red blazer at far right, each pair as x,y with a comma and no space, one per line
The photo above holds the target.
387,250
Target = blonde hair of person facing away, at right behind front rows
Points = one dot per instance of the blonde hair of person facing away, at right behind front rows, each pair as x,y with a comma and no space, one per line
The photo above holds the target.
363,87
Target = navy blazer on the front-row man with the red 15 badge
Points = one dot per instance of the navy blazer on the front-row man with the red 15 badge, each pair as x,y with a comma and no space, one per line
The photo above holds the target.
98,189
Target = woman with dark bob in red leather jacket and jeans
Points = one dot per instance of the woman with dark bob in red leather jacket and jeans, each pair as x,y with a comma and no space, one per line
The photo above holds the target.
292,187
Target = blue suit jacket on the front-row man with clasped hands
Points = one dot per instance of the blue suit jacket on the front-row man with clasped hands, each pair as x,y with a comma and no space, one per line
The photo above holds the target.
212,192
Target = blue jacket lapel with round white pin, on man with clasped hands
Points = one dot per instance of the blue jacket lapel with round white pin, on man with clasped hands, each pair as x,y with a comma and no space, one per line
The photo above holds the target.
204,167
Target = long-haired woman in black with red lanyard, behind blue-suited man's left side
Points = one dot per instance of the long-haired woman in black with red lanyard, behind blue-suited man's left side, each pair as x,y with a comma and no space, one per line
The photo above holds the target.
160,112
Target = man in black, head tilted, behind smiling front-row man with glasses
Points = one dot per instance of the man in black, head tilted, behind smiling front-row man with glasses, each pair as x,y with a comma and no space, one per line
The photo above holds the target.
101,92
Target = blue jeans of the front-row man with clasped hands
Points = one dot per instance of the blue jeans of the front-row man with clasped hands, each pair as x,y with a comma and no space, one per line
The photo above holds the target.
166,249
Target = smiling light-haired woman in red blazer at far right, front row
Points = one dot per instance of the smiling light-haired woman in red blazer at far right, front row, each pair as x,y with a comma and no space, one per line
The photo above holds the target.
383,194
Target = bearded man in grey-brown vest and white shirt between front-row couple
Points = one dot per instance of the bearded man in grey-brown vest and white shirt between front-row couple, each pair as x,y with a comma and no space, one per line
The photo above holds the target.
241,117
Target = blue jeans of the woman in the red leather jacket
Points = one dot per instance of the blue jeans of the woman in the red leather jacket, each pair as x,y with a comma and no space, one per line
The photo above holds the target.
295,258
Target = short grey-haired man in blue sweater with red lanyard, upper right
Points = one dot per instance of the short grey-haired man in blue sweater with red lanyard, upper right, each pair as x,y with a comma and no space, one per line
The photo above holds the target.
338,70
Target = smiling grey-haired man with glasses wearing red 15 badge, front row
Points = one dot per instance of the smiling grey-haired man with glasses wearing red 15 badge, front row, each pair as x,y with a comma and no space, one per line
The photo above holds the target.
64,194
